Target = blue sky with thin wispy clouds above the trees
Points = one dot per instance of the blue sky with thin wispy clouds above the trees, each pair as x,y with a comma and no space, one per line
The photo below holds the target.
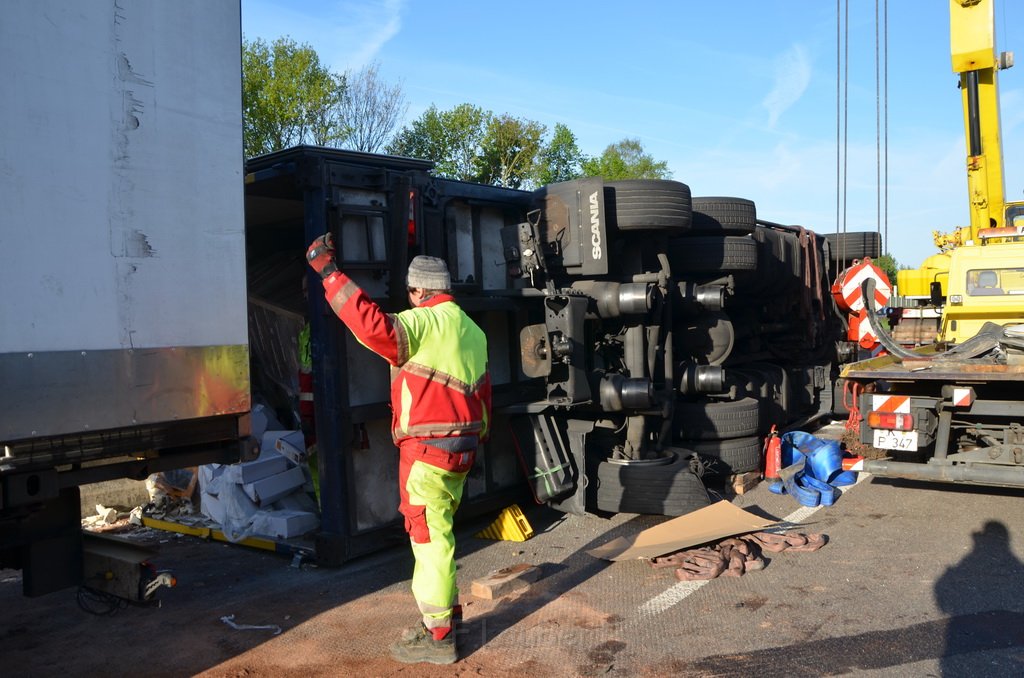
740,98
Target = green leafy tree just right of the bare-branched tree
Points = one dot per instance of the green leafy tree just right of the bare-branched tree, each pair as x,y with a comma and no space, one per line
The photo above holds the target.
452,140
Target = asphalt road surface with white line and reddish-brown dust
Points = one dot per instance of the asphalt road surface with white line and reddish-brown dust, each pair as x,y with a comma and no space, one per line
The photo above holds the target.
916,580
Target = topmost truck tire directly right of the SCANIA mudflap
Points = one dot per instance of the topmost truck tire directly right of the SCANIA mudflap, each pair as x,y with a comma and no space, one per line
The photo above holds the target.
649,205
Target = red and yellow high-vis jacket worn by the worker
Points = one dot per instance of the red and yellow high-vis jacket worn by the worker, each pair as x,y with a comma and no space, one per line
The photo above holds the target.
441,387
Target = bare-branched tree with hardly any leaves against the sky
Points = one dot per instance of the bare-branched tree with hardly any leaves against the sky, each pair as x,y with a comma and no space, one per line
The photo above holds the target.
371,110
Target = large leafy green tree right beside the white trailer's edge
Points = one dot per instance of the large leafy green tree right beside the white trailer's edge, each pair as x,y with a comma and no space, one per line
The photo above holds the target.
288,98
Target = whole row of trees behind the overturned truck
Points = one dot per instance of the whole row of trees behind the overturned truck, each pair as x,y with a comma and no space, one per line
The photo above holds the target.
290,98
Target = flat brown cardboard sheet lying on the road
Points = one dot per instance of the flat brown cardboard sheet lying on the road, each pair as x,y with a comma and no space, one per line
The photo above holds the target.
708,525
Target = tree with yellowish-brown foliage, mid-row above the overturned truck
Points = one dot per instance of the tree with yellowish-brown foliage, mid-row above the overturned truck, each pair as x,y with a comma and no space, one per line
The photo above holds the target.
509,151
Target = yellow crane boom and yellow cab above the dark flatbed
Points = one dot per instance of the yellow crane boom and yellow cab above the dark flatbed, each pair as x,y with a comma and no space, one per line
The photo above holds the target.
979,271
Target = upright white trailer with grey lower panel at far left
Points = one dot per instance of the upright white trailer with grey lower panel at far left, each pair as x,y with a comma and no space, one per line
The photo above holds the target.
123,328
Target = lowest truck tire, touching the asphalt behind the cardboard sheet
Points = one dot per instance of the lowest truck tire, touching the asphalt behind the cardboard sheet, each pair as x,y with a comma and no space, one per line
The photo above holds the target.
664,490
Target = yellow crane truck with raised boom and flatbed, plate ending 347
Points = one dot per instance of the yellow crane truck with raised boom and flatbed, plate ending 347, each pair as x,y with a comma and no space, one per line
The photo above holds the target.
951,412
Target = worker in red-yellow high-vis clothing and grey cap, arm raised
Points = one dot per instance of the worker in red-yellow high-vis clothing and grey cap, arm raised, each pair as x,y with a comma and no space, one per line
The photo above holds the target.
441,401
